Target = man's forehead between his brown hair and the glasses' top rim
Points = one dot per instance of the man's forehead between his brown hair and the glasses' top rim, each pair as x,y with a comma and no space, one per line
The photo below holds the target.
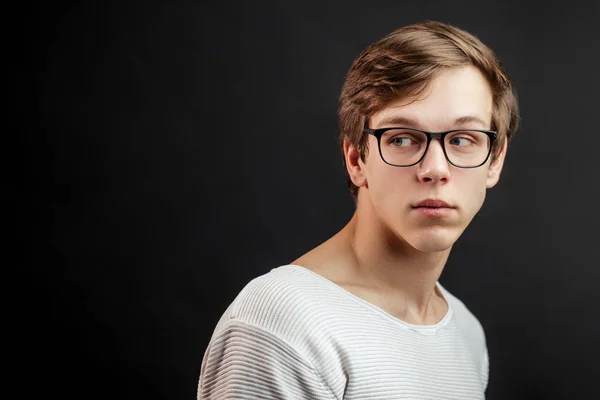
456,96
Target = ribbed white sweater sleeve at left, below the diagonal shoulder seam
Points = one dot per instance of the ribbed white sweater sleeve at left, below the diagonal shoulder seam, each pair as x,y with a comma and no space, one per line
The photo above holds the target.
244,361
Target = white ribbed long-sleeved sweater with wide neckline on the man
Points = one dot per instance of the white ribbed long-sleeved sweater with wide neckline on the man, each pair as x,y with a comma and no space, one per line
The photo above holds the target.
292,334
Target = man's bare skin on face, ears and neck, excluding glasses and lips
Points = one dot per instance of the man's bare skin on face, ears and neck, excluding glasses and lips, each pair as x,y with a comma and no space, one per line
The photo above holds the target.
391,254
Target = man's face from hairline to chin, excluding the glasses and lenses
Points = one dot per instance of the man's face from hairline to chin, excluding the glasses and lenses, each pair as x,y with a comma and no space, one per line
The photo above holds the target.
459,98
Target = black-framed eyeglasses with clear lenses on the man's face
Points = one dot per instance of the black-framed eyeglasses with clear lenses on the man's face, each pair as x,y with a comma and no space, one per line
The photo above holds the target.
404,147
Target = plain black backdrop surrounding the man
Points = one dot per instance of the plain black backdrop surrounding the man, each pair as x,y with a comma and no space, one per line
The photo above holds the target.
174,150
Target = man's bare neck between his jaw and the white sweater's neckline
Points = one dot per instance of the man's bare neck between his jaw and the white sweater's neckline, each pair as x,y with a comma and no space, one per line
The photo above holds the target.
390,265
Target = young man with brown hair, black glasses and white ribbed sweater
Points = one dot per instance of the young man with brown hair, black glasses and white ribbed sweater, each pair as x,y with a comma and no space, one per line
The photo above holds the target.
425,115
